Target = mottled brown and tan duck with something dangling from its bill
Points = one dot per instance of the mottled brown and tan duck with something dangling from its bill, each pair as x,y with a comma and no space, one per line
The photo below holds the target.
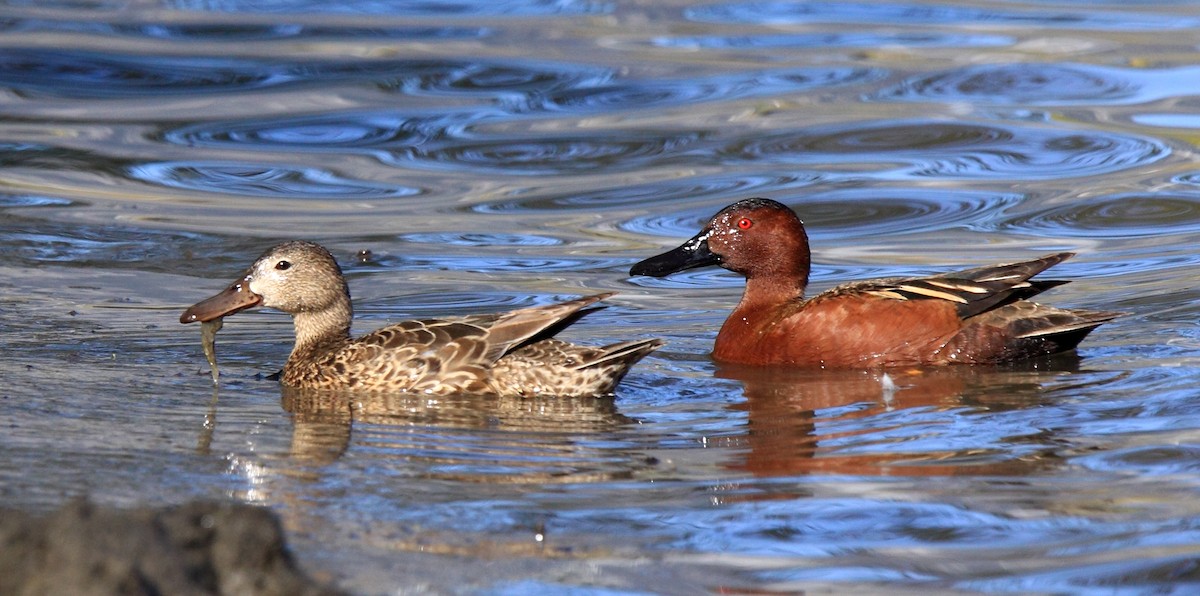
505,354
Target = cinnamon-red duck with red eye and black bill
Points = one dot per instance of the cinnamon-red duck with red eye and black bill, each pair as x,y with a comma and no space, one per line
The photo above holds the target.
979,316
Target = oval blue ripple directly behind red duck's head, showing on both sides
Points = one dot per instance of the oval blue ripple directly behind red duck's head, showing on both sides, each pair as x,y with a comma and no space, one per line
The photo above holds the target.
859,213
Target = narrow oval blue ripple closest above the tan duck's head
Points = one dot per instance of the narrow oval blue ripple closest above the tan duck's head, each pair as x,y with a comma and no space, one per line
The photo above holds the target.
251,180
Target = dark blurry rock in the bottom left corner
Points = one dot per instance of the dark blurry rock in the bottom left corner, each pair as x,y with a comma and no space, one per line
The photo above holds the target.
193,549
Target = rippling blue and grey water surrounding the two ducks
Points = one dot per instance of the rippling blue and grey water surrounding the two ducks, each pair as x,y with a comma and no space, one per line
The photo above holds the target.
503,154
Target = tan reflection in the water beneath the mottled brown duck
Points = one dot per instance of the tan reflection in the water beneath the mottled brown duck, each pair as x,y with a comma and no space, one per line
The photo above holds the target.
453,437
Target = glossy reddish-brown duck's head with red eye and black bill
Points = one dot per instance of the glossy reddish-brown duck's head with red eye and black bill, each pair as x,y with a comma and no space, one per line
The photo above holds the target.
752,237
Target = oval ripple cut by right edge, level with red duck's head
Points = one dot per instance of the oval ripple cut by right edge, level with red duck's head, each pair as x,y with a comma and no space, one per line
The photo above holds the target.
1114,216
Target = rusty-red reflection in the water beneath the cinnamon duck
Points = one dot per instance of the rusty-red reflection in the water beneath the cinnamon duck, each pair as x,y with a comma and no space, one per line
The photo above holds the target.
795,416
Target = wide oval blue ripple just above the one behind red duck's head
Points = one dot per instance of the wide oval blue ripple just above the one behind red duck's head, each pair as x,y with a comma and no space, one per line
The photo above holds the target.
956,150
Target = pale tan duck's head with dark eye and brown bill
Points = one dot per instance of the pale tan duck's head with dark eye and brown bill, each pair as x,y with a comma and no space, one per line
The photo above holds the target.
296,278
